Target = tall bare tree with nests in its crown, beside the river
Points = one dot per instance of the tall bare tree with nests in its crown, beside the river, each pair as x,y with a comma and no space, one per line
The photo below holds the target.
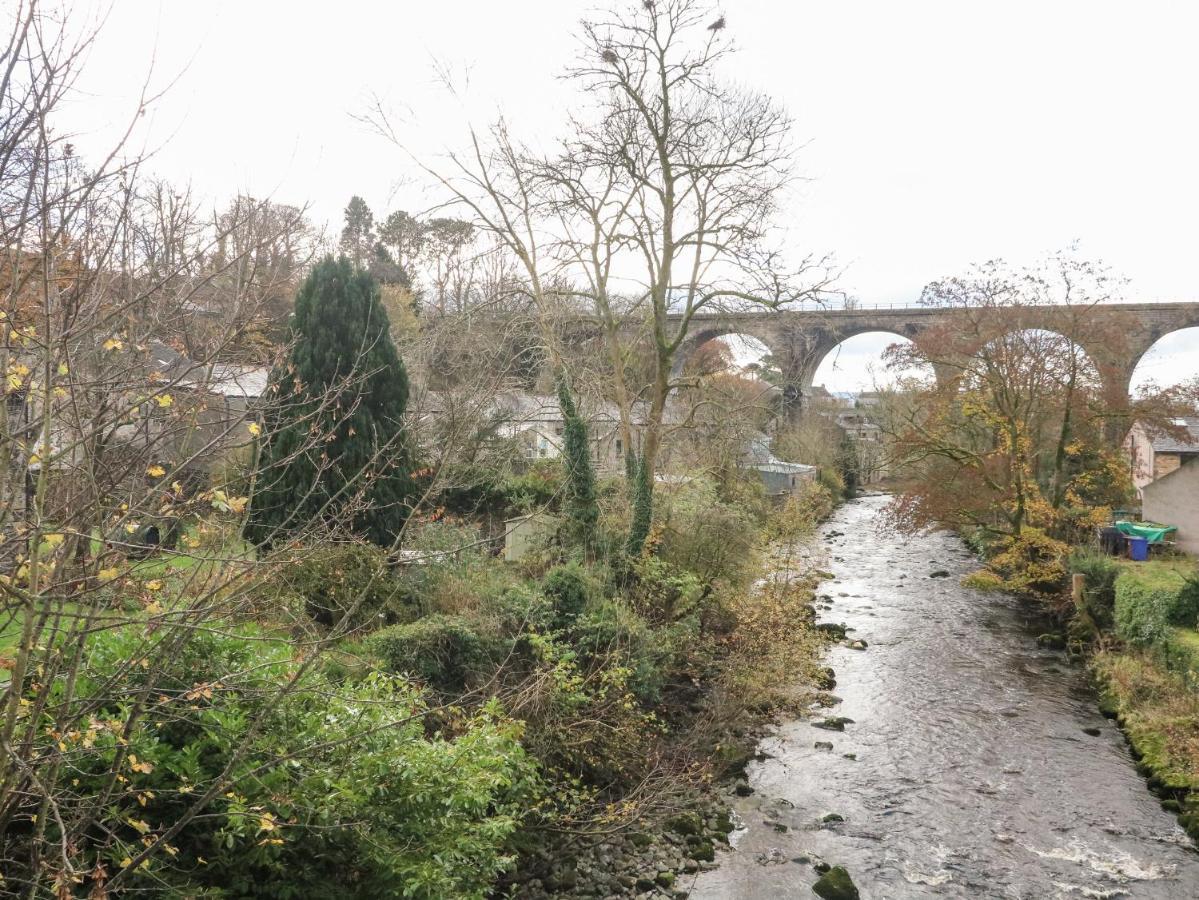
667,185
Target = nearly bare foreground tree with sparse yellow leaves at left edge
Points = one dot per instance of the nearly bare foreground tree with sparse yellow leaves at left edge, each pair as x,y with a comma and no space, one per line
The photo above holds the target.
116,433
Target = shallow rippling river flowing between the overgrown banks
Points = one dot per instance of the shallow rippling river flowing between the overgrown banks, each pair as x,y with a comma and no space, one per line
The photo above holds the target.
974,776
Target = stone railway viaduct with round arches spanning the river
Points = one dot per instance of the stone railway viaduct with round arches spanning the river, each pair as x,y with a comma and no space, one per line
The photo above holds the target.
800,340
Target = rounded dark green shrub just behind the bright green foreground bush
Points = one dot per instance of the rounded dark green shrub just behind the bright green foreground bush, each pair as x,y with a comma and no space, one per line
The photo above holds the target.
443,651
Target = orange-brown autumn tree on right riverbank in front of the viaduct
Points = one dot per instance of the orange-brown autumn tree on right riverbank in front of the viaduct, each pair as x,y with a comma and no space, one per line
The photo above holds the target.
1019,430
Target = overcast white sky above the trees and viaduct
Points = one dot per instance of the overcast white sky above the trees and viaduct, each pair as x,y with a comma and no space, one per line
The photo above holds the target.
936,134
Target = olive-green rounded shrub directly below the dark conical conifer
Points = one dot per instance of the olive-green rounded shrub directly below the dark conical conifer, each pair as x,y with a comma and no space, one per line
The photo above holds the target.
346,585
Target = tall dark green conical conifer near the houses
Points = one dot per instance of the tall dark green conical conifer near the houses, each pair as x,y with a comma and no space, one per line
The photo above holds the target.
334,448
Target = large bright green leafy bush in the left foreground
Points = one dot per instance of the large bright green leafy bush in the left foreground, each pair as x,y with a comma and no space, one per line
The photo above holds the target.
324,790
